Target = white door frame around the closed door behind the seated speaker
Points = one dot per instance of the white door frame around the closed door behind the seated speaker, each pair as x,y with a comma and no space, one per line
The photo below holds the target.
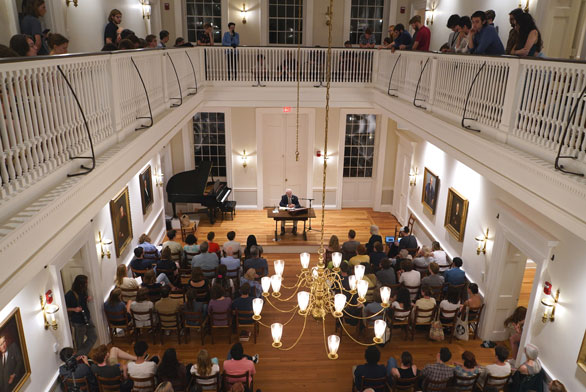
310,145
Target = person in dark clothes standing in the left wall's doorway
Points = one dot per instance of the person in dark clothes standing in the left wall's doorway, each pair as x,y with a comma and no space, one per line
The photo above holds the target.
84,331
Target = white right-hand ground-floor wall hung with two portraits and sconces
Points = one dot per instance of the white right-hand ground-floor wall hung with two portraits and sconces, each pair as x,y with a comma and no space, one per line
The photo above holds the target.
558,342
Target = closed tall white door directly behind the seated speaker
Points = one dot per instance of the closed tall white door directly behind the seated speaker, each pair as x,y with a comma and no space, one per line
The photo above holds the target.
280,168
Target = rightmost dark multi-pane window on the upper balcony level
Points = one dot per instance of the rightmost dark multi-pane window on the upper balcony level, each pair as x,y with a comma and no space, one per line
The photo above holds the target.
364,14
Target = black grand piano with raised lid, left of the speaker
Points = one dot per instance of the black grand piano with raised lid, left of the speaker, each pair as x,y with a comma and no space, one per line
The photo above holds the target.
192,186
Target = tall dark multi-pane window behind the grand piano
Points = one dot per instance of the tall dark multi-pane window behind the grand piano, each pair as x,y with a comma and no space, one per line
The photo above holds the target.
209,136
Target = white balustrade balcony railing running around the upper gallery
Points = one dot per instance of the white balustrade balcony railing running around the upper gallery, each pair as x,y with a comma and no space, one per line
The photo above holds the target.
524,103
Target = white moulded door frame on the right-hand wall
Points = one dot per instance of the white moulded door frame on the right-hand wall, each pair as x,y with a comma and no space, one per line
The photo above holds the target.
537,245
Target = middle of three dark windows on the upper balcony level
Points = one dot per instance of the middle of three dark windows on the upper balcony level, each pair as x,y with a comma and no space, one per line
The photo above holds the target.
284,22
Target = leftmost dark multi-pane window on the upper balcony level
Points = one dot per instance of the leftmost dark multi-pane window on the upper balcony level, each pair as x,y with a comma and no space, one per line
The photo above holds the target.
200,12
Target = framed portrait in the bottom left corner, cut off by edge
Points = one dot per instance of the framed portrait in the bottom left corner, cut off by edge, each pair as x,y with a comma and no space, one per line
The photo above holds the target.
16,368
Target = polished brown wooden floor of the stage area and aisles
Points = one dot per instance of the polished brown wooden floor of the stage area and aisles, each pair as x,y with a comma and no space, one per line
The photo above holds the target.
306,367
